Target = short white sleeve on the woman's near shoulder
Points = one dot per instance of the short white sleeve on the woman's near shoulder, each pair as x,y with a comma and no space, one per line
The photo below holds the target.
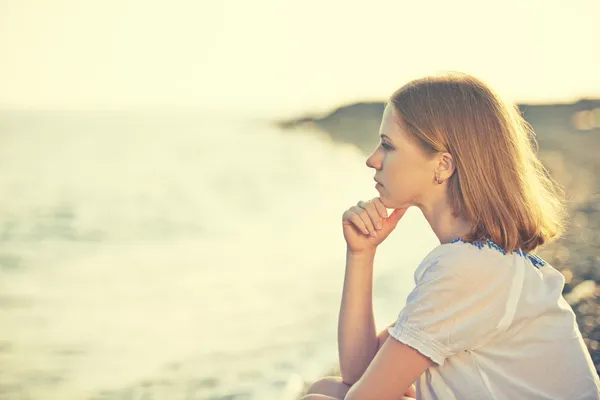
458,303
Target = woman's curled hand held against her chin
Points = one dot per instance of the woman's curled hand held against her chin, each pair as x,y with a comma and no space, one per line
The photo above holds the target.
367,224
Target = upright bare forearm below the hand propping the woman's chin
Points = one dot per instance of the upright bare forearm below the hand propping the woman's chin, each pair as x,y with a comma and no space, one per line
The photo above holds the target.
357,338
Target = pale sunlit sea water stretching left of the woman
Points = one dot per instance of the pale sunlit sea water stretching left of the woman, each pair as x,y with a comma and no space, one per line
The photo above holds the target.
178,255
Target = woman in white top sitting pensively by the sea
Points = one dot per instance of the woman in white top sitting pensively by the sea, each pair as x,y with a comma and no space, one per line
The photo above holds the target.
486,319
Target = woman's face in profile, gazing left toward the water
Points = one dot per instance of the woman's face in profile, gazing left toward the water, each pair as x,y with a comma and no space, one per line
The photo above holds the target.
406,174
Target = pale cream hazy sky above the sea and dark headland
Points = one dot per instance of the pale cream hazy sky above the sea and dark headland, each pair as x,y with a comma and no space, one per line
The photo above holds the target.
287,56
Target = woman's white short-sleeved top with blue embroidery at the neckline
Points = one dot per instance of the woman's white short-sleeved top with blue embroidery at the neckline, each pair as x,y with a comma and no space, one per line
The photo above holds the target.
496,327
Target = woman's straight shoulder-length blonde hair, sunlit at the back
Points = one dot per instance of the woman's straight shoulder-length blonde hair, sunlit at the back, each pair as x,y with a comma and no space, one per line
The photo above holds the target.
499,184
